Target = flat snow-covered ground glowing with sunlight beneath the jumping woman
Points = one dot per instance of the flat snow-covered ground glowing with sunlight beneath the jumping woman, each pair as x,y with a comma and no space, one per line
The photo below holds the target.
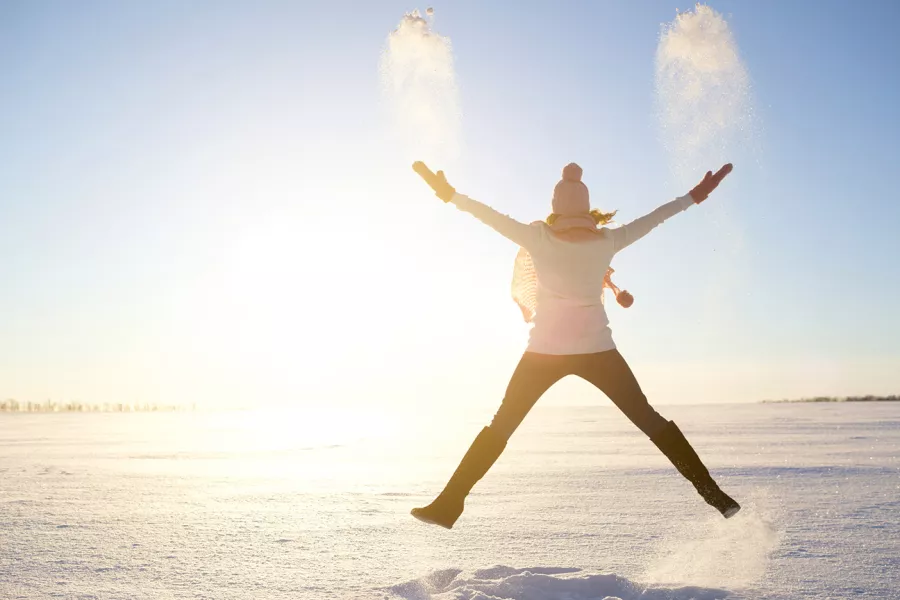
581,507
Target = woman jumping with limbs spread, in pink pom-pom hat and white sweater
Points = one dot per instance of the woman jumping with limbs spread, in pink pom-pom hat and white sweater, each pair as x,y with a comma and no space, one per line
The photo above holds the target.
569,256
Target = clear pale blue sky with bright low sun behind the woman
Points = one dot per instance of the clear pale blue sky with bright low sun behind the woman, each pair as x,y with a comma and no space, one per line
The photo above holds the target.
206,202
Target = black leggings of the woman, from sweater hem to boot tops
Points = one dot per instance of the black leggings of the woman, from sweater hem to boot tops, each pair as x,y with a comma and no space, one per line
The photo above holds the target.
608,371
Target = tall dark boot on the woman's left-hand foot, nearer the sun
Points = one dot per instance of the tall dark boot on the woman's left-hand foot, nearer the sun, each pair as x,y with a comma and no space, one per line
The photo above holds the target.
447,507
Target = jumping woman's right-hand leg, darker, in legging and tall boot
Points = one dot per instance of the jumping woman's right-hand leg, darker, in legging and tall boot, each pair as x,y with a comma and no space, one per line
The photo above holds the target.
612,375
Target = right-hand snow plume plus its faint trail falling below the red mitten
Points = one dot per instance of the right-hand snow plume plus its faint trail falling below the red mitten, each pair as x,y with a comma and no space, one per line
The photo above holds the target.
706,117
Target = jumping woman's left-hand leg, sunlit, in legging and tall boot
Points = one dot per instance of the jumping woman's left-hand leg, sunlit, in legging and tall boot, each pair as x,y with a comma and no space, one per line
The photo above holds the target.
533,376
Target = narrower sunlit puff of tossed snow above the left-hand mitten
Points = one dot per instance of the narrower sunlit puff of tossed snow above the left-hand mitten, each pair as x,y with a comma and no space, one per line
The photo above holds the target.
419,85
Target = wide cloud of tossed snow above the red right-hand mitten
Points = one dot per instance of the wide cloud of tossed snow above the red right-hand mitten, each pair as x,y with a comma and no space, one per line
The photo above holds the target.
703,97
